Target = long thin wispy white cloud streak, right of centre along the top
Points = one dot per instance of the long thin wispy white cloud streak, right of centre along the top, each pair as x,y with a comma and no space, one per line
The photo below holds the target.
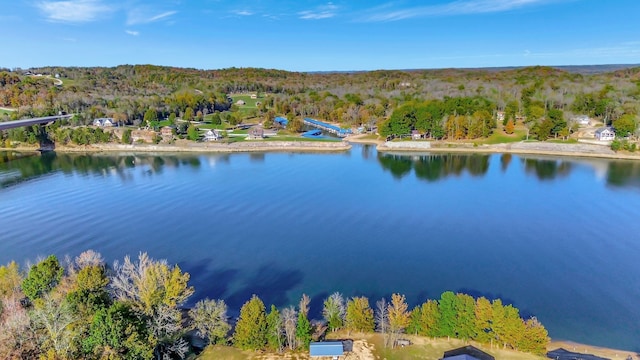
459,7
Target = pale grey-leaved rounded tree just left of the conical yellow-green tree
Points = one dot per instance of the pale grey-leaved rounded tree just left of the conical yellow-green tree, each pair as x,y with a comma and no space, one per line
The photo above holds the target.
209,318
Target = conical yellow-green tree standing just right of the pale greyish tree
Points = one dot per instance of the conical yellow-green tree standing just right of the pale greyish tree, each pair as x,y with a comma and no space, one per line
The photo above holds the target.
251,328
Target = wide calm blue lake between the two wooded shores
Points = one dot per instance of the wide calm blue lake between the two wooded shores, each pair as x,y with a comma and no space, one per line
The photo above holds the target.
557,237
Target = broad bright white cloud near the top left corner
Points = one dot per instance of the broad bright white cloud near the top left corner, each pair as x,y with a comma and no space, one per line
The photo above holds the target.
73,11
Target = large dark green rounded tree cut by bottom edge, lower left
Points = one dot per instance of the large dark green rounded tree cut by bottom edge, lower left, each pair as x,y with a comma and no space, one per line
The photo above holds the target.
117,333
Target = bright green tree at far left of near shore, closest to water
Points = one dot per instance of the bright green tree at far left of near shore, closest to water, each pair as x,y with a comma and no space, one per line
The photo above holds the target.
42,277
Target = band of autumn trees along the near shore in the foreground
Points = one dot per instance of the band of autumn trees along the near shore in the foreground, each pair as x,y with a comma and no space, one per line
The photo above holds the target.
81,308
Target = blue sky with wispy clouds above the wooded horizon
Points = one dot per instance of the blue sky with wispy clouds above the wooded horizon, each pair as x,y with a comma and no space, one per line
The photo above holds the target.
309,35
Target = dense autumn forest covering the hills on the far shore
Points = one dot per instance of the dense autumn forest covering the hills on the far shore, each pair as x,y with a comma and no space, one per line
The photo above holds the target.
450,104
